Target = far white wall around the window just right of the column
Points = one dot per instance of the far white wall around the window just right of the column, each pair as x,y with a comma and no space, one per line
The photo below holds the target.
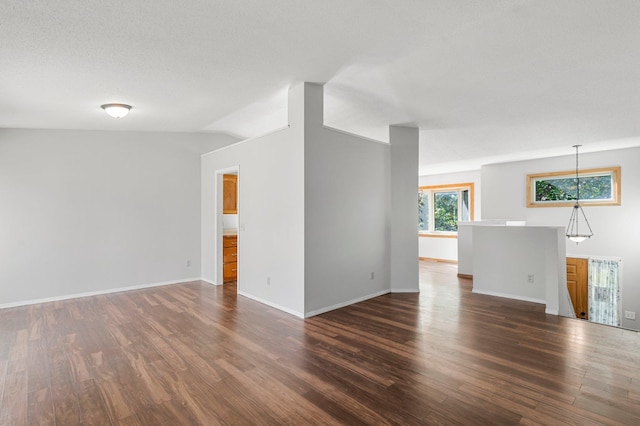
447,248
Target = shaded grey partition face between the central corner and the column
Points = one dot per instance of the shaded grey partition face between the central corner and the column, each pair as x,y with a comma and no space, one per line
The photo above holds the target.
346,214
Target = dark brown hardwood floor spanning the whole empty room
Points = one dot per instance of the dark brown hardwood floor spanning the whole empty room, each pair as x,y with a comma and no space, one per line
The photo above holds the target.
197,354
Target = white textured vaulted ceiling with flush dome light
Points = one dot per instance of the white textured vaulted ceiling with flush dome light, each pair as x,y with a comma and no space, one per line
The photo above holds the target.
485,81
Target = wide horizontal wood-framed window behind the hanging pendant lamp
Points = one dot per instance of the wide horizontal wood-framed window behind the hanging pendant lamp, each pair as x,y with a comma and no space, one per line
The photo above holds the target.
598,187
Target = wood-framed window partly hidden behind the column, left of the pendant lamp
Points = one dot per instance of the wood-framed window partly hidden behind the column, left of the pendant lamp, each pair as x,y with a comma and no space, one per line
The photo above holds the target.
441,207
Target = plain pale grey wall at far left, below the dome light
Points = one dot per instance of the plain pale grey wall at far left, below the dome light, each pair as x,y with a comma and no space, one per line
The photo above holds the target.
93,211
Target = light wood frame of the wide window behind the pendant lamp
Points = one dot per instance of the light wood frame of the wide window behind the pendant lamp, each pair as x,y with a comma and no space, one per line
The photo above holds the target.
616,188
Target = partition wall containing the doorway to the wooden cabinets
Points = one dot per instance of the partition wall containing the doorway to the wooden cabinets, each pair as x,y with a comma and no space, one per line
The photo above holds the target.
270,212
